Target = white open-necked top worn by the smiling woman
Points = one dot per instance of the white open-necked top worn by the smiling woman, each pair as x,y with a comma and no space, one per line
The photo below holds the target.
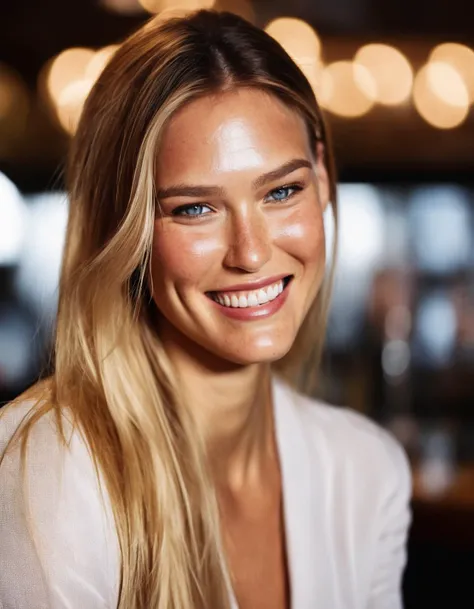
346,489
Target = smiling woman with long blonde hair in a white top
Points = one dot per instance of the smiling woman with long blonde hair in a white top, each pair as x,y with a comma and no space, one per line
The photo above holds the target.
170,461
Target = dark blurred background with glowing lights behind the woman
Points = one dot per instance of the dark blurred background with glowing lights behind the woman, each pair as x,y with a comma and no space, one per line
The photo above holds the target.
396,80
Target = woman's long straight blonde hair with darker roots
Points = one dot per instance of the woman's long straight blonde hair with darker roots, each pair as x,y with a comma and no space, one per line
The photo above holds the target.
110,369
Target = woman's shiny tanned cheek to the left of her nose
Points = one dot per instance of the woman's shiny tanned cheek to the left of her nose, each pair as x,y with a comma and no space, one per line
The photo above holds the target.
180,255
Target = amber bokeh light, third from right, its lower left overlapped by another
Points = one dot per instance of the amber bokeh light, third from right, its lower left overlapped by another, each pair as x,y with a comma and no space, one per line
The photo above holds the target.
391,71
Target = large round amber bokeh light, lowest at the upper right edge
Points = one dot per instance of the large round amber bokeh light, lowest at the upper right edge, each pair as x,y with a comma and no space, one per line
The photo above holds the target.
440,95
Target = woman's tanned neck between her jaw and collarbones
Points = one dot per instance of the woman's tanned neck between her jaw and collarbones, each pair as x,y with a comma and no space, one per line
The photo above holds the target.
232,409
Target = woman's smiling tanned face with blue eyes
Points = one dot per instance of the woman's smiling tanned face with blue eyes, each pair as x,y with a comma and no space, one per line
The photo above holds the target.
239,251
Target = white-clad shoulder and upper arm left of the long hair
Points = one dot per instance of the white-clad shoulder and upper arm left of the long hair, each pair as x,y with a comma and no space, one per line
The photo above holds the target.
52,504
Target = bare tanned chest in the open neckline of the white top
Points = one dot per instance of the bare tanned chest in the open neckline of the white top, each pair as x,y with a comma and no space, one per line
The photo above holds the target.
255,548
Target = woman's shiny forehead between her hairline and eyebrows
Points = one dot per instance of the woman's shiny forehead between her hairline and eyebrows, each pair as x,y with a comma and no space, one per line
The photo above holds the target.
241,129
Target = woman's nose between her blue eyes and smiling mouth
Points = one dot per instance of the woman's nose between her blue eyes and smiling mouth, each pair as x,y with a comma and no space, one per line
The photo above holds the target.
249,241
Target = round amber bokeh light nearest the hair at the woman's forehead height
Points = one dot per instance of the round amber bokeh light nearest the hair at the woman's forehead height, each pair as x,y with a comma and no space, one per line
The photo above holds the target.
347,89
